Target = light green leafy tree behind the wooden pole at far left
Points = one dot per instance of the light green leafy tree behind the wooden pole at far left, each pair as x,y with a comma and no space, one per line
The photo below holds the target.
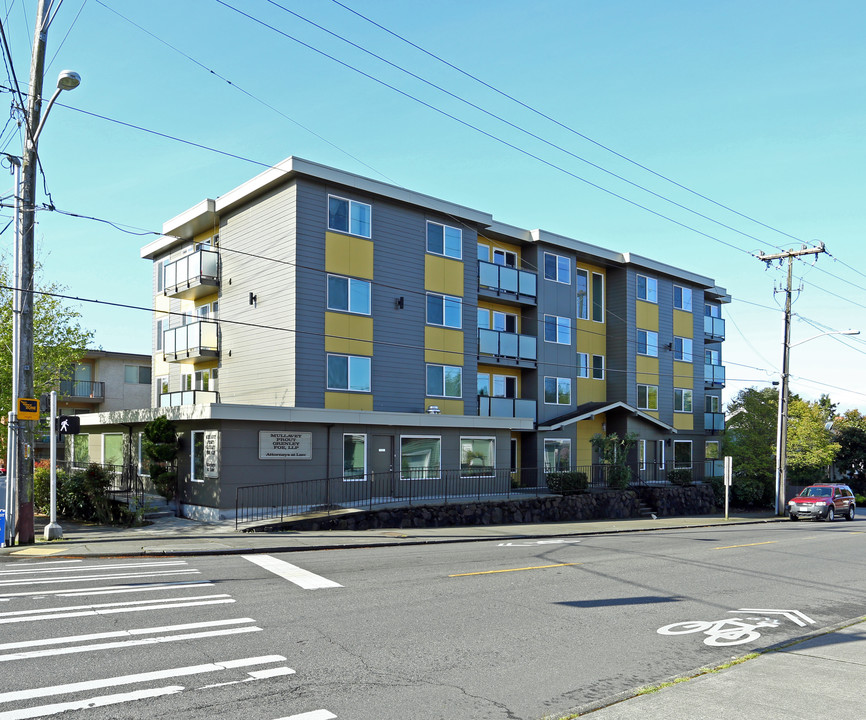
59,340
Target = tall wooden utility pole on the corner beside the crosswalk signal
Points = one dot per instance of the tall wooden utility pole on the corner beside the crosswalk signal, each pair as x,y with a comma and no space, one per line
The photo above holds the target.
25,531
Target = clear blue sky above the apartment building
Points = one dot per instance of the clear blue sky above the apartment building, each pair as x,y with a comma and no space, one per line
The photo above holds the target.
759,107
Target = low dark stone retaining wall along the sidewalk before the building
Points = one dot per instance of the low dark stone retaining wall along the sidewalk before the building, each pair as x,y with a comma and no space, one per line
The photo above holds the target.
610,504
